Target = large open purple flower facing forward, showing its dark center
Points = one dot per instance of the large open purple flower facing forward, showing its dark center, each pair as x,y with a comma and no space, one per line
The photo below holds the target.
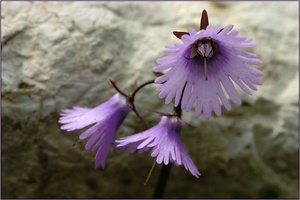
207,61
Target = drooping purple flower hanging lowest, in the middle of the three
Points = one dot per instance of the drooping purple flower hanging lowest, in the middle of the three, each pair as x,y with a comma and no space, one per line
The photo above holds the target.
164,139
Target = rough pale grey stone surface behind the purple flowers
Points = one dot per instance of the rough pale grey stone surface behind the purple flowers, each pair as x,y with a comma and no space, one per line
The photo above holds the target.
57,54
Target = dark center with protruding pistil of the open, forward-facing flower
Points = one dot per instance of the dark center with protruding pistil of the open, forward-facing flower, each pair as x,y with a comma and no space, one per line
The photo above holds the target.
204,48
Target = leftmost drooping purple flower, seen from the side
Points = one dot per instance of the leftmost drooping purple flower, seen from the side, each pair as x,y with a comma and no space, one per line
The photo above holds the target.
106,117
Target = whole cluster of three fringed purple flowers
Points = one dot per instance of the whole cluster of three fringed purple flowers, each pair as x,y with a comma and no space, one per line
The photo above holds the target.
197,70
